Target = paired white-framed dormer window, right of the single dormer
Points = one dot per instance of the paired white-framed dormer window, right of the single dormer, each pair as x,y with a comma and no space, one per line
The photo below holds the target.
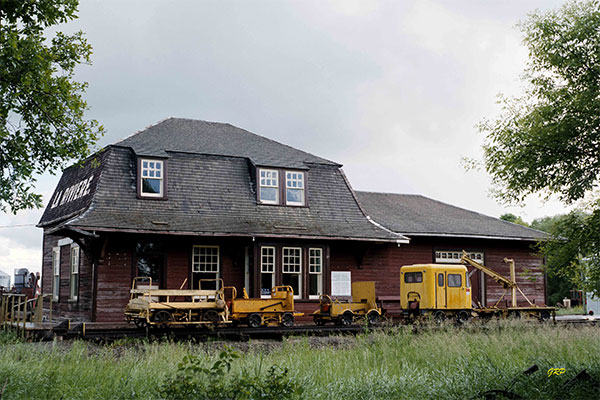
281,187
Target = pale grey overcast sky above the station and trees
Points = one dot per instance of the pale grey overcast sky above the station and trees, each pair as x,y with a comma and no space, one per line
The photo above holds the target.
391,89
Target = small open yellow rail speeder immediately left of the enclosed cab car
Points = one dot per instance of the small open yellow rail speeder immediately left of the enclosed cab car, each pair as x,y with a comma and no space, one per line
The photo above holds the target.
362,306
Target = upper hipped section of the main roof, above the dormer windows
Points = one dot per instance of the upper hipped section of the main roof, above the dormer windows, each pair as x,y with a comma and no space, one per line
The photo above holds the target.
203,137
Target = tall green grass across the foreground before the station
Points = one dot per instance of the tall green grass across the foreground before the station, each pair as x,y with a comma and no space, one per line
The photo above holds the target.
447,362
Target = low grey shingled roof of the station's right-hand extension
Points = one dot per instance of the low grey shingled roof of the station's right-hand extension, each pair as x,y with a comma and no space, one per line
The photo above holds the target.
415,215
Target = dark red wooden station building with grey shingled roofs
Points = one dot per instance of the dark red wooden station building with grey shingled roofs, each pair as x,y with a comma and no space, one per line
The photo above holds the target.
185,200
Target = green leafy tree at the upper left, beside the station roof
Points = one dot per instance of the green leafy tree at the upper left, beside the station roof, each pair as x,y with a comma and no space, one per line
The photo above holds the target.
42,122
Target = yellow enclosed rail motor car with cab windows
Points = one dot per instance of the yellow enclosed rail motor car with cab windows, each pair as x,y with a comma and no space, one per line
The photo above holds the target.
441,290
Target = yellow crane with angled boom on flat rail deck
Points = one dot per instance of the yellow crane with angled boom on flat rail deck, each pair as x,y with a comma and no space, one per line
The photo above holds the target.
533,310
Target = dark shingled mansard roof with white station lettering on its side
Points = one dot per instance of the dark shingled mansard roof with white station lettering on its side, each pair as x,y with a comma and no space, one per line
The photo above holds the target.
209,194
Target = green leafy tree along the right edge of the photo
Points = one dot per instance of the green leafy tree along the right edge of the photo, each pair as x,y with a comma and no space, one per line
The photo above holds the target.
548,140
